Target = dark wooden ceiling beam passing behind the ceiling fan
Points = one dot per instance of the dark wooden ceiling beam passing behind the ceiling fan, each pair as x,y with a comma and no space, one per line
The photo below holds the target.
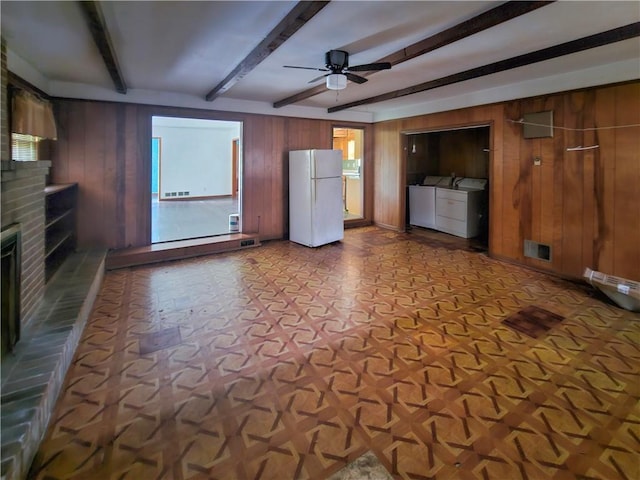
488,19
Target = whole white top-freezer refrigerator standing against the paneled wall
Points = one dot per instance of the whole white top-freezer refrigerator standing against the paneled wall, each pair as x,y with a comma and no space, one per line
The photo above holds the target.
315,197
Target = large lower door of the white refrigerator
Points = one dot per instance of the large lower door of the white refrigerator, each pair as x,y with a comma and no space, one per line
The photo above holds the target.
327,220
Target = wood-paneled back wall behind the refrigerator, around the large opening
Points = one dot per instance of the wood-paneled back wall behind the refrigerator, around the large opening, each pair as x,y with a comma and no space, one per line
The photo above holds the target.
106,148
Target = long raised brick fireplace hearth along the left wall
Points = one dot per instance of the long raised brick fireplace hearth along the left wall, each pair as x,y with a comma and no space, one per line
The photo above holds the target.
33,374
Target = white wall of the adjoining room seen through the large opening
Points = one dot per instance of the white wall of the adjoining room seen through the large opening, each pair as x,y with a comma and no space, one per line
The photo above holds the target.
195,156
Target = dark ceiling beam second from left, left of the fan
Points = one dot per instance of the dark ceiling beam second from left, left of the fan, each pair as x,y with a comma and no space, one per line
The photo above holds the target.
290,24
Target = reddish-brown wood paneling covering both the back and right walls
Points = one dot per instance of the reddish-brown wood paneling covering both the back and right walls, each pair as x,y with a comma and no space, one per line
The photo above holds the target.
583,204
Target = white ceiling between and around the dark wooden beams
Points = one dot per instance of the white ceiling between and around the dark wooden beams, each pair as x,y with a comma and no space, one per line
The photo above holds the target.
173,53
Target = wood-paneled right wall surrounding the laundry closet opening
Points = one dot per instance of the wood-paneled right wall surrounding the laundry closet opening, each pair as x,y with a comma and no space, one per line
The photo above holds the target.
584,204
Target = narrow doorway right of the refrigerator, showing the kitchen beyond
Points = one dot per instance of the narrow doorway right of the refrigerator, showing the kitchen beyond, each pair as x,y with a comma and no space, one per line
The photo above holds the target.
351,142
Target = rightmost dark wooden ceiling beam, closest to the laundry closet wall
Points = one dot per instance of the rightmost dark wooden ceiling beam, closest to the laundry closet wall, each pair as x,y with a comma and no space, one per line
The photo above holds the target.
593,41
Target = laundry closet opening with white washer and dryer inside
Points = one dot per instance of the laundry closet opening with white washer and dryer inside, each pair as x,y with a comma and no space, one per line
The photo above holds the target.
447,177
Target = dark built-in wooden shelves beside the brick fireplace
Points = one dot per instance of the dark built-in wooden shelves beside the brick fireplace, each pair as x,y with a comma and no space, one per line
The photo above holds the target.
60,225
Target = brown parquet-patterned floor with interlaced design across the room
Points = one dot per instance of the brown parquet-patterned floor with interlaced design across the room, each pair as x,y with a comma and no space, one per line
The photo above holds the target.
284,362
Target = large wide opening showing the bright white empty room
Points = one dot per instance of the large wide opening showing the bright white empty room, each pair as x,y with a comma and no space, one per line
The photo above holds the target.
196,178
